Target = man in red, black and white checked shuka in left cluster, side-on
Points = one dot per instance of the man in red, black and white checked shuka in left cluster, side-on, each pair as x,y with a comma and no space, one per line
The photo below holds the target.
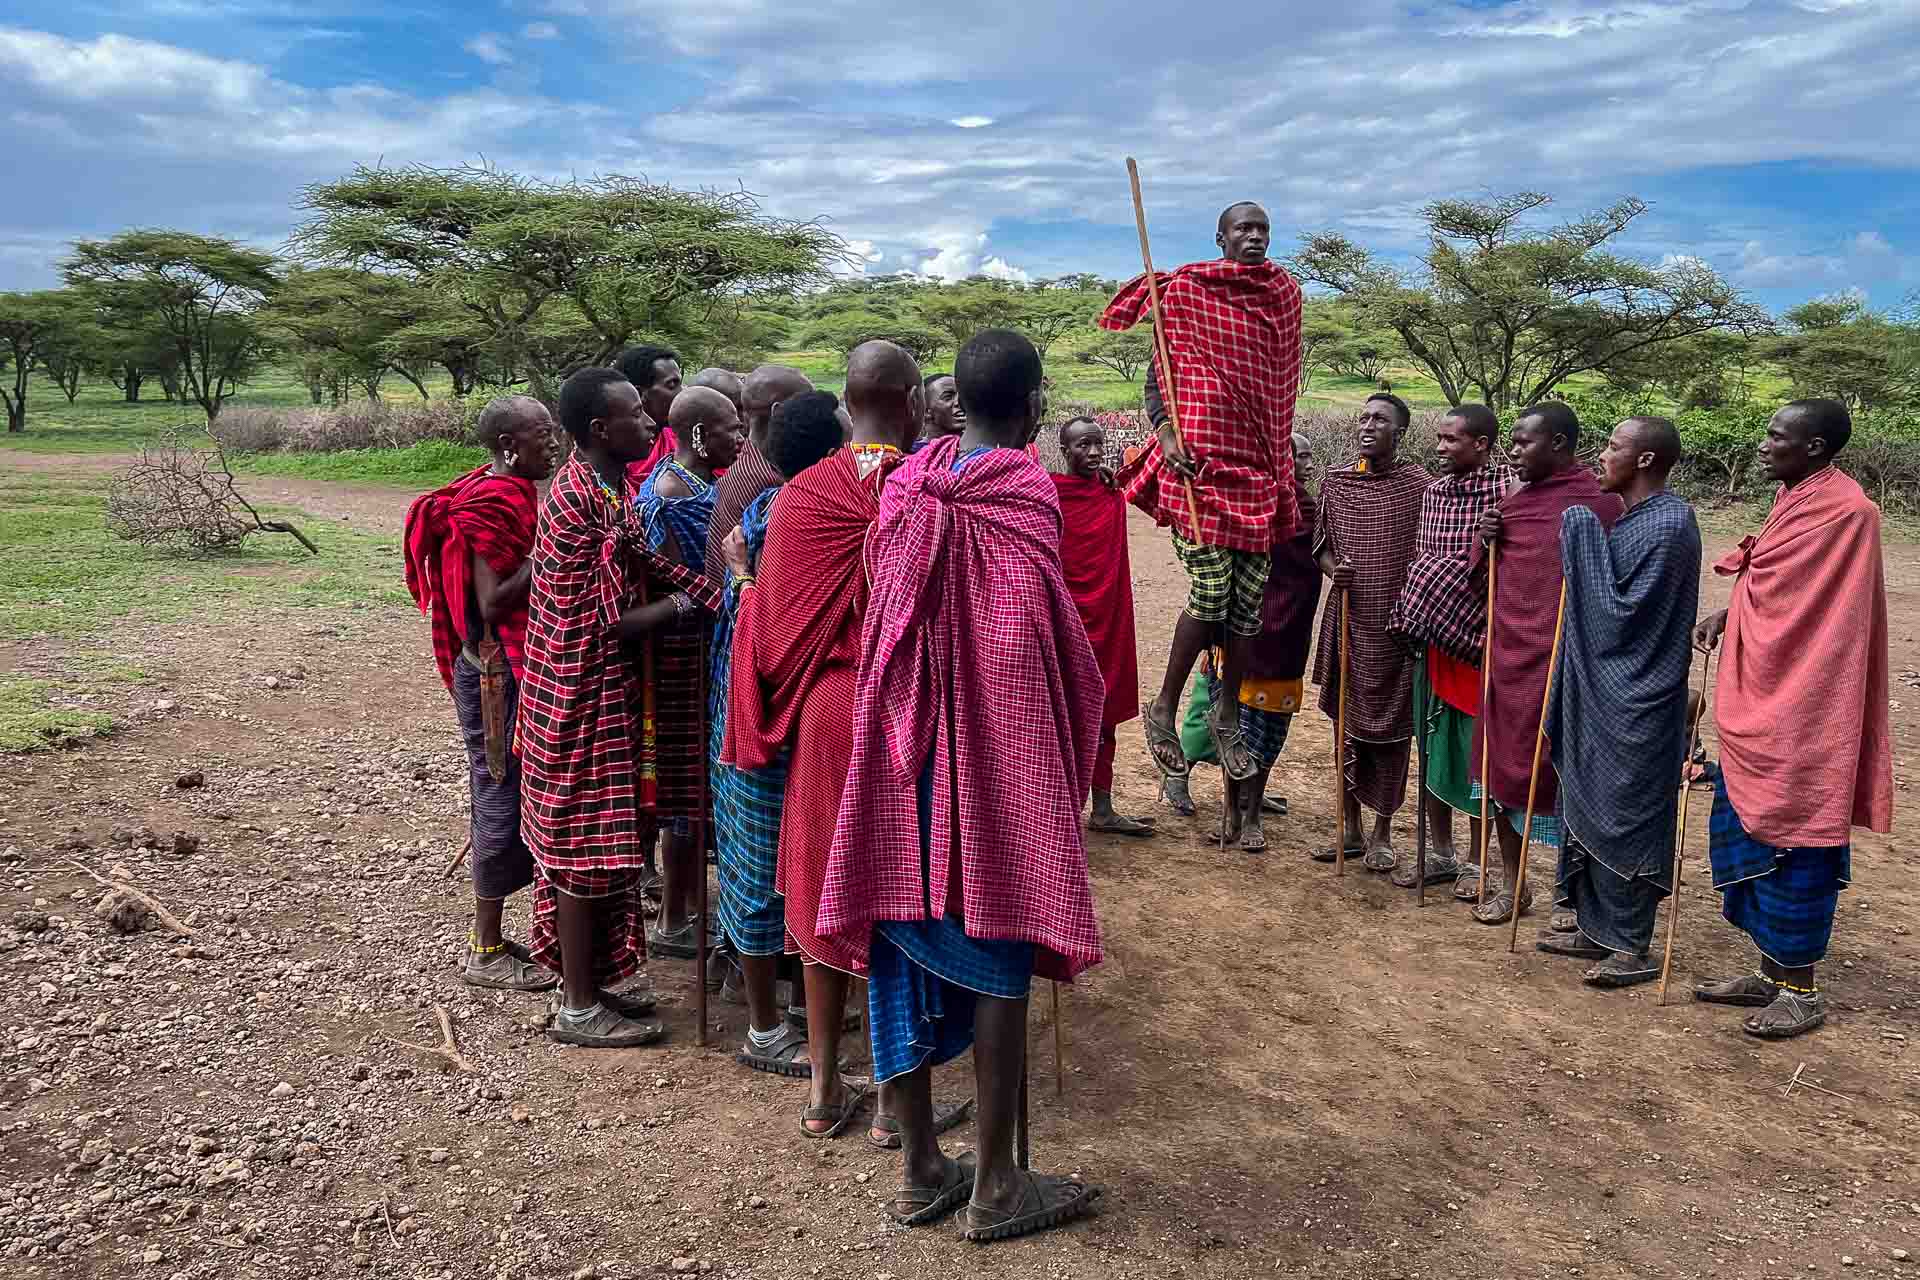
588,795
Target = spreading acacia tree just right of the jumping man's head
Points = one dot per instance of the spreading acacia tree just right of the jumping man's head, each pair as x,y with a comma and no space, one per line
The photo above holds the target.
1508,312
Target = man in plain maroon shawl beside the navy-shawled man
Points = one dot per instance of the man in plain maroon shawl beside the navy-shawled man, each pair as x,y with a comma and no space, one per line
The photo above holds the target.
1525,534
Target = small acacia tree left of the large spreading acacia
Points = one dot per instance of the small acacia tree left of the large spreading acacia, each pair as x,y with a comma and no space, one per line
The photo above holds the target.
204,293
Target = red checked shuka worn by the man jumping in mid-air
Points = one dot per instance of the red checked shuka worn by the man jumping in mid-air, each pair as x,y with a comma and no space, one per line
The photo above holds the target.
1234,337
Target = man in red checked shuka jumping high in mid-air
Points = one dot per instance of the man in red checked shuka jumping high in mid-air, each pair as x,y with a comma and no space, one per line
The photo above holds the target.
1234,337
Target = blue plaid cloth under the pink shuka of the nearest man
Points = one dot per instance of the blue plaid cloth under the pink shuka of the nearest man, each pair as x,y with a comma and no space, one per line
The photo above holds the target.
924,974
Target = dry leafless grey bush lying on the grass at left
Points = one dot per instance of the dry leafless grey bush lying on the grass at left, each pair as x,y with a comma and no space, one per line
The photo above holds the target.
181,498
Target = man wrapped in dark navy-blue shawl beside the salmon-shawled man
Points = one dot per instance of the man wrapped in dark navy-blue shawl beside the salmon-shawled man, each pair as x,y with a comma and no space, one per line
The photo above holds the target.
1620,705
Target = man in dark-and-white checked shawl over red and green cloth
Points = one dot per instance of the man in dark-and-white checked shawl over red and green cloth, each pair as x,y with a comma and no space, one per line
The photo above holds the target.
1443,617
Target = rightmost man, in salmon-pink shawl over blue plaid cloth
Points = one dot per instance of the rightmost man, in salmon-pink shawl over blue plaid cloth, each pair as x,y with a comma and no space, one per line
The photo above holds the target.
1802,705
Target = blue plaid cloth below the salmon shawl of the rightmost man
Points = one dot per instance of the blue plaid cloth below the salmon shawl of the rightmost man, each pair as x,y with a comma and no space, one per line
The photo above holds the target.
1785,899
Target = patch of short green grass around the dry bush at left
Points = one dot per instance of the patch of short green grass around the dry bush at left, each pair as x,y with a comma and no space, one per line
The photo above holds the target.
68,577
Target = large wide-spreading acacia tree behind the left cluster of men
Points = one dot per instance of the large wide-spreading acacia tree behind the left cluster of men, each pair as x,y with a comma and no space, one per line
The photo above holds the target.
502,249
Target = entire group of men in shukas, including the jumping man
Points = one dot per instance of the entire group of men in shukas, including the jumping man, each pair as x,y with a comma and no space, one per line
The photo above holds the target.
880,653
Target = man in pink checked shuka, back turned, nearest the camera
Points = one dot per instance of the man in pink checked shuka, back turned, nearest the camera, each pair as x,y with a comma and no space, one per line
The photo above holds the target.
959,868
